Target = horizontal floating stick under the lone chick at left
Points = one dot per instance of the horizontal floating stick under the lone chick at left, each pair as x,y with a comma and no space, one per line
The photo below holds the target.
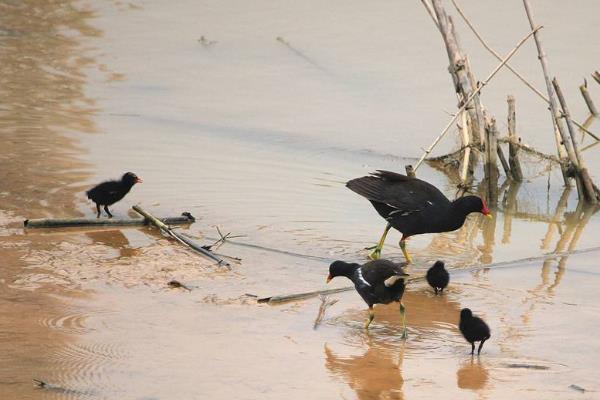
186,218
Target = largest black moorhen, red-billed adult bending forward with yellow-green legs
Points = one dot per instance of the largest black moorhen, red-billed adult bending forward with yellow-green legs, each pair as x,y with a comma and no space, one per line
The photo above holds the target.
413,206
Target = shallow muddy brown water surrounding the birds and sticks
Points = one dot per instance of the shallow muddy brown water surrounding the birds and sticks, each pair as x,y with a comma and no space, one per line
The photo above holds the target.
257,136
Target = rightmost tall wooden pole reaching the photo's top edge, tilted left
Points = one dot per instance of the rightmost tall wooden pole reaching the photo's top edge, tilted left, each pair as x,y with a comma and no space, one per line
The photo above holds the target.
556,123
